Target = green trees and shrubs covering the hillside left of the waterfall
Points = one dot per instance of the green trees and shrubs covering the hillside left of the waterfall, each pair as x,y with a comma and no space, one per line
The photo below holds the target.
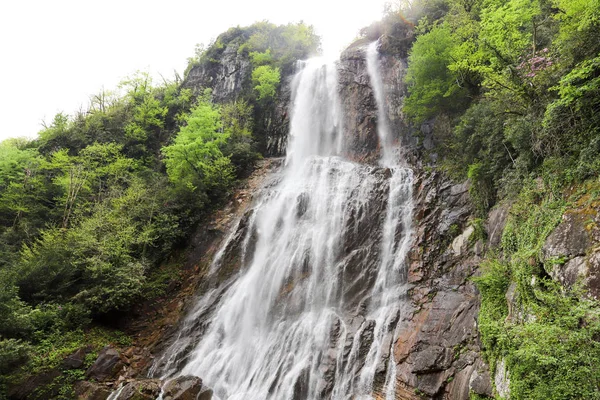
91,208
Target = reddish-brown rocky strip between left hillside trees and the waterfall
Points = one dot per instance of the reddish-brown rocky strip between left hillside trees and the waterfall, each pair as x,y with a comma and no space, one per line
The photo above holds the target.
177,318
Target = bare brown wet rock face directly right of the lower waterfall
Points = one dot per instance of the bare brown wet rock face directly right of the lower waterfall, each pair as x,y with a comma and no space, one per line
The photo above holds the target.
437,351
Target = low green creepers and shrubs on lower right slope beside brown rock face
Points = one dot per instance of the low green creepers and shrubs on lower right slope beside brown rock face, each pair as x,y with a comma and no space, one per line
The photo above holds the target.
549,338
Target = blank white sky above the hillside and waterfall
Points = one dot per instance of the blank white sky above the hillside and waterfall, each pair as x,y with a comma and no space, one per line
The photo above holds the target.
54,54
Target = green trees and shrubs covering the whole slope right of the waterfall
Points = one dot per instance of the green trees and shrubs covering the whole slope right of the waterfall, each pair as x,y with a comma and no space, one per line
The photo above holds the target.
513,88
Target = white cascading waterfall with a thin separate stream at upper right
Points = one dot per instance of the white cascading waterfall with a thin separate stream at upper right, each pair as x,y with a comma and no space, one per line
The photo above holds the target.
313,311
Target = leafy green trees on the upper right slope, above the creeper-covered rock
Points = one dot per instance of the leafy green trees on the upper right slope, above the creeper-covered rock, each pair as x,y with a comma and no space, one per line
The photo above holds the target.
518,82
